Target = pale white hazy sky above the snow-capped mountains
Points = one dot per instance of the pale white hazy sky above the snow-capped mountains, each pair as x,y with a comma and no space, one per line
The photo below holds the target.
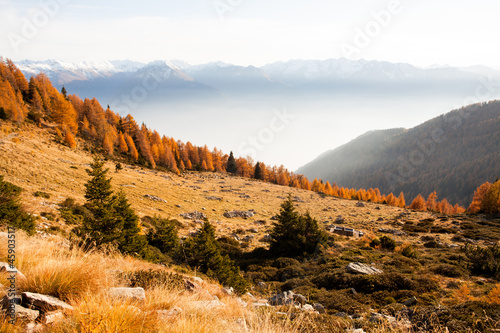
423,32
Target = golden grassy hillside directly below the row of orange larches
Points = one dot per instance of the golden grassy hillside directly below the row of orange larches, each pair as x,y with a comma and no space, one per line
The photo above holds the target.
33,160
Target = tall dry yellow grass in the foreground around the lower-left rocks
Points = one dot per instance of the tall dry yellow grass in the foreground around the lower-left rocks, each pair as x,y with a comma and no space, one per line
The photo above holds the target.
83,279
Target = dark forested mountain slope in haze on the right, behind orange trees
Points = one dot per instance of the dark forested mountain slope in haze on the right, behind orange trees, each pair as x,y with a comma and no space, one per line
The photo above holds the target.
451,154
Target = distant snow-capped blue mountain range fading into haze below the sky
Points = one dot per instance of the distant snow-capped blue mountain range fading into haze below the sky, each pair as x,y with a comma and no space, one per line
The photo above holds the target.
173,81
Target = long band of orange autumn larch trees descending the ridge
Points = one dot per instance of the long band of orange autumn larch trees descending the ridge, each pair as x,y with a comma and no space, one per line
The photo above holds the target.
120,137
